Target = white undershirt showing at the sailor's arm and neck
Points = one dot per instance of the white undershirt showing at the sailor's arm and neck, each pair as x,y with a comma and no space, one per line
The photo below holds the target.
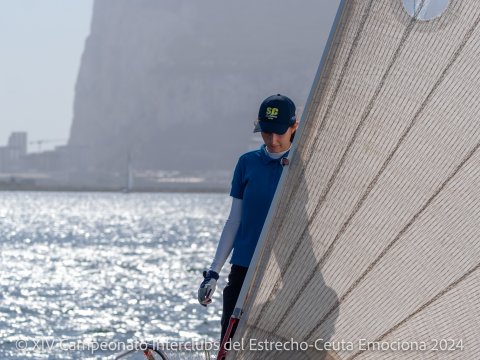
225,244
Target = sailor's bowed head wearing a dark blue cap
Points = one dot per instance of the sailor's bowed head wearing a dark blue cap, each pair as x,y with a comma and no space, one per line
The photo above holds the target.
277,122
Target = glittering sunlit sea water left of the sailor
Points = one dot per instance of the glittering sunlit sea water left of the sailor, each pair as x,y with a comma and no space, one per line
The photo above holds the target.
82,274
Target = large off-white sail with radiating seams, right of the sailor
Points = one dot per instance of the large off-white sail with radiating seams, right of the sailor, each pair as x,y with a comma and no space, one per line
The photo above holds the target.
375,230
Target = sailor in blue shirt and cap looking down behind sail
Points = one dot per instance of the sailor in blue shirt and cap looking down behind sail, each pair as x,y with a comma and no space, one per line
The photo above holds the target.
254,183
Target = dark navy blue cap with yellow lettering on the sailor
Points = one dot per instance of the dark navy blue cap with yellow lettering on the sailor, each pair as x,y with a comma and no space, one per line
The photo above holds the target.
276,114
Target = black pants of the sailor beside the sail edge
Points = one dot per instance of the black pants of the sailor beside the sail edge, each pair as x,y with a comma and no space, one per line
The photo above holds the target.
230,296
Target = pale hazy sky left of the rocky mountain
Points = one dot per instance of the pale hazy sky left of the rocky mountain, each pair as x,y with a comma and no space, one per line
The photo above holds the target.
41,42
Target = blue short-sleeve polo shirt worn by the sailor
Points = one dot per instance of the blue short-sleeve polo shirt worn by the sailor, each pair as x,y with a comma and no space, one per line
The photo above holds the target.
254,181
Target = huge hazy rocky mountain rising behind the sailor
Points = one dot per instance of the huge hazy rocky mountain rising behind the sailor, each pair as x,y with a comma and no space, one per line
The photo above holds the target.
177,84
